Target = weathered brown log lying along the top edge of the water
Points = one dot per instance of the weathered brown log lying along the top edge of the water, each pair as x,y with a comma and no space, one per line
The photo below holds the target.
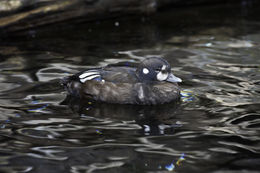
23,14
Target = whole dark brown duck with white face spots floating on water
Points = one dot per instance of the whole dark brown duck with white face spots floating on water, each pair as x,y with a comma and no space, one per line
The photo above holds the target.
147,83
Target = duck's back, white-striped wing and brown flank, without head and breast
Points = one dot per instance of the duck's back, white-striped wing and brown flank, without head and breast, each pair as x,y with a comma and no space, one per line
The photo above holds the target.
110,83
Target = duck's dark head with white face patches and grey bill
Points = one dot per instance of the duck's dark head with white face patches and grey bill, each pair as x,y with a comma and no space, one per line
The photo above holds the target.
156,69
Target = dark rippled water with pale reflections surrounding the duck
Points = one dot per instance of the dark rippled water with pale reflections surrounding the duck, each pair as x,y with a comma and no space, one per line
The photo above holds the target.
215,128
